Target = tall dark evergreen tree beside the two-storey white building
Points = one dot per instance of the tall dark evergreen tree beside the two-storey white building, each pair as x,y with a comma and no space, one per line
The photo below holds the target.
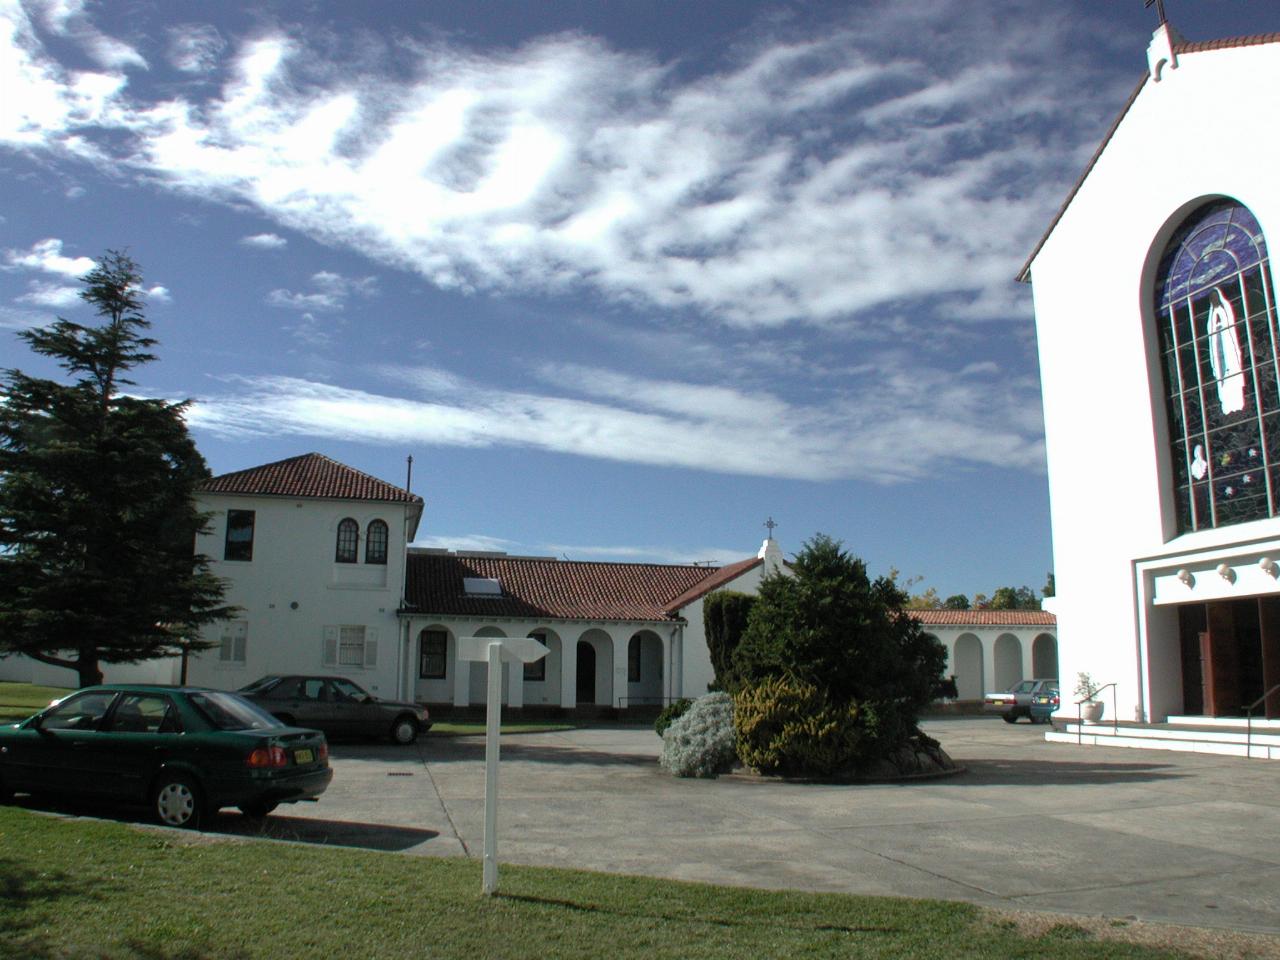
98,522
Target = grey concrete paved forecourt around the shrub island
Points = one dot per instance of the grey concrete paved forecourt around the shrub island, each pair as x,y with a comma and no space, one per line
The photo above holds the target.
1131,834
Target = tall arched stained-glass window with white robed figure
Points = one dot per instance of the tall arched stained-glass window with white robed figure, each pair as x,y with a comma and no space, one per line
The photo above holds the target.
1215,309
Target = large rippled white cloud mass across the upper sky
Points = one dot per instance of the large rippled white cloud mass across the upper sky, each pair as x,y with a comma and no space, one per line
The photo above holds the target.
826,181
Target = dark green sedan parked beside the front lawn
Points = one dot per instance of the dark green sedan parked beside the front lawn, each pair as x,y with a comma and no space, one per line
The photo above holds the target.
186,752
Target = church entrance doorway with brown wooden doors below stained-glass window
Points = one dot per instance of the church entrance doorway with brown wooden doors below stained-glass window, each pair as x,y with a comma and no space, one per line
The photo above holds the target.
1231,655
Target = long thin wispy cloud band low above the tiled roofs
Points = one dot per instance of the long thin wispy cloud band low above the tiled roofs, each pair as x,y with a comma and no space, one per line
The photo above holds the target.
900,426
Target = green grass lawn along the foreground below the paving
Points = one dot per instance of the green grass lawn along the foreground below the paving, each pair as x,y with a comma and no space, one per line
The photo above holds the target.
90,890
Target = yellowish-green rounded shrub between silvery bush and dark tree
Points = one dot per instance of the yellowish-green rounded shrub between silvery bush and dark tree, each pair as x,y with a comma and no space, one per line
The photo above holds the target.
790,728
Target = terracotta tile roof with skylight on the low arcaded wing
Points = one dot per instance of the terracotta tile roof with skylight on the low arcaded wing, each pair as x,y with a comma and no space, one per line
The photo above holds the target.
552,589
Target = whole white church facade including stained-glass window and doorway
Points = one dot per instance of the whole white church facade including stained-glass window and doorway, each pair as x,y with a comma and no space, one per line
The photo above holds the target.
1160,364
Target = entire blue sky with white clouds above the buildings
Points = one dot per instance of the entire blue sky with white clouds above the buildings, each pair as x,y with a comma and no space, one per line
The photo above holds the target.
627,278
